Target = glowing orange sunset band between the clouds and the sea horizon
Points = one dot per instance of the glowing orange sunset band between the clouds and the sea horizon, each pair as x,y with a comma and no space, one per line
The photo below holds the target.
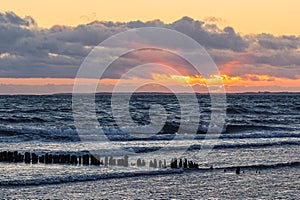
246,82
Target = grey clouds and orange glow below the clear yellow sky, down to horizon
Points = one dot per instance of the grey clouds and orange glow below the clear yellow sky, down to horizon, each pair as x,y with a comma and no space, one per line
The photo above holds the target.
36,60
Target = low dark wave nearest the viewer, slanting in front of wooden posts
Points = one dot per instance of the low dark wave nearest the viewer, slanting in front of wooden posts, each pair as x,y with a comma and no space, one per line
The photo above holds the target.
97,177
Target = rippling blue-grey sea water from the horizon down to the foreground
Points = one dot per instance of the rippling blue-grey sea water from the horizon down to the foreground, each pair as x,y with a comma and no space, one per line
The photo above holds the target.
261,135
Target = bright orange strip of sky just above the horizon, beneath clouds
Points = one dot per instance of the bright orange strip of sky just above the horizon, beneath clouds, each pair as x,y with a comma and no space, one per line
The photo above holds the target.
247,83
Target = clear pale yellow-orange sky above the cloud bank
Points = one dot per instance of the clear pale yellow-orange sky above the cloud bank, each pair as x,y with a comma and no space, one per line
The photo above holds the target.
271,16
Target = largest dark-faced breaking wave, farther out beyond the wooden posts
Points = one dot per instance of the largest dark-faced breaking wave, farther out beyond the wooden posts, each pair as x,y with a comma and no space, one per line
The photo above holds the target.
132,133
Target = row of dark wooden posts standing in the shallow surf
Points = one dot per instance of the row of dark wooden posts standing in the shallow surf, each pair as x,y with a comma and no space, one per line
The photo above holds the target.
88,159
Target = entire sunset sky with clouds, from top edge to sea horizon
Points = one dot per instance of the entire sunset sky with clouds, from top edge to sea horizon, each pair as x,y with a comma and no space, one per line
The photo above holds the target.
255,44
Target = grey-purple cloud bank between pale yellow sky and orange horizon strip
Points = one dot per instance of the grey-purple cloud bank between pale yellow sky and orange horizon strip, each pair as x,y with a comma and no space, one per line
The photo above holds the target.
29,51
